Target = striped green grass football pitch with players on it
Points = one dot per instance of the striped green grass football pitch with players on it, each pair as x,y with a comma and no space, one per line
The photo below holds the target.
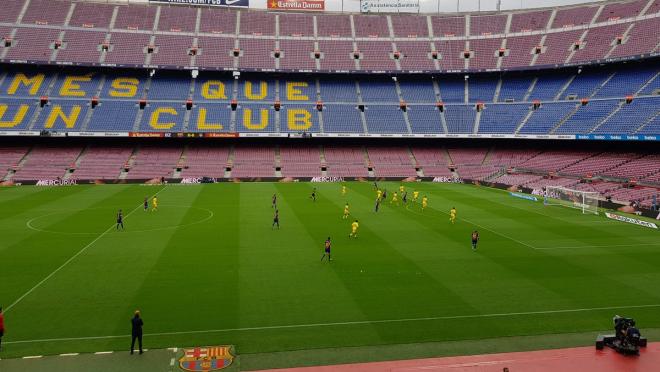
208,269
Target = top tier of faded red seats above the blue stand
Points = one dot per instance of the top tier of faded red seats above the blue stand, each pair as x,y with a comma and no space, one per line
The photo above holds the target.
74,33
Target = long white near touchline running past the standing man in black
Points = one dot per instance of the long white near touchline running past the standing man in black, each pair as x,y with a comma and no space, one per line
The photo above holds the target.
351,323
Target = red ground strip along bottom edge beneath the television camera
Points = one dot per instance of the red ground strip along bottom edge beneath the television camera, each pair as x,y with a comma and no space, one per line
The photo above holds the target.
583,359
